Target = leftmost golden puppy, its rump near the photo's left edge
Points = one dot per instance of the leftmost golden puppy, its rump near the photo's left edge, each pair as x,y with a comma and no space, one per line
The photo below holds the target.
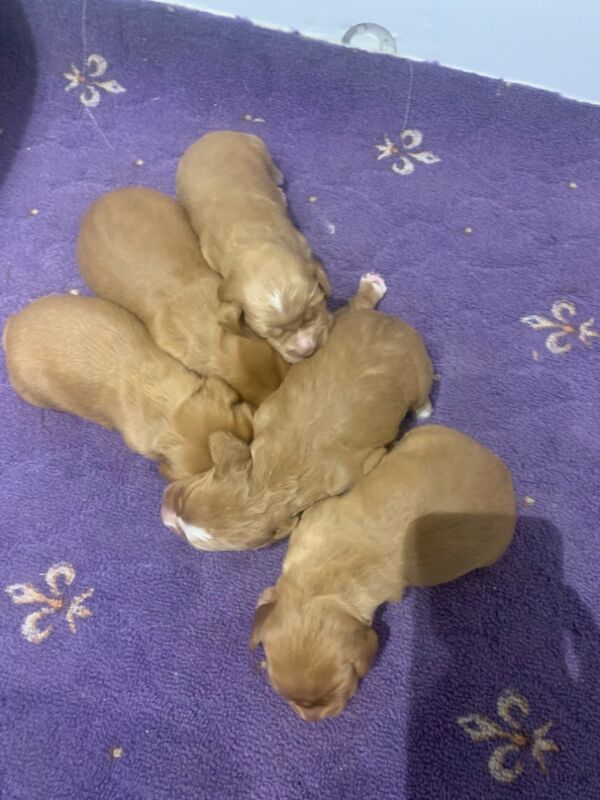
94,359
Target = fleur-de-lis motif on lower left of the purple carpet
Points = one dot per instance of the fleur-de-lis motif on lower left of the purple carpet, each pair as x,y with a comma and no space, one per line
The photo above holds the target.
35,627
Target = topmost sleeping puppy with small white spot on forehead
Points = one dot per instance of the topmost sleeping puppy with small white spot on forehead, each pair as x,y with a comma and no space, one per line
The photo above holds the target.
272,286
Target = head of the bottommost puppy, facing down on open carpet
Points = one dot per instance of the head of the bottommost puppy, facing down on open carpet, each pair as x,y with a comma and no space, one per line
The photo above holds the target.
316,651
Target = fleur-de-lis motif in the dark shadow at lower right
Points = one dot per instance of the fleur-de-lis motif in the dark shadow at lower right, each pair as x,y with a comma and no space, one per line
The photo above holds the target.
508,759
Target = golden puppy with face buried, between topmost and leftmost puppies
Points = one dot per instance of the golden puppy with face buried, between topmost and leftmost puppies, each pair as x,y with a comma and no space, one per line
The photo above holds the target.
136,248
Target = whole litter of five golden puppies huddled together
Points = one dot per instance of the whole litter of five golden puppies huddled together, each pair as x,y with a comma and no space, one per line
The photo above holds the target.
210,348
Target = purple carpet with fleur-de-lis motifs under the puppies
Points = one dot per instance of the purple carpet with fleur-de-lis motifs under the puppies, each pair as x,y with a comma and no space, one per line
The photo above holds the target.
124,668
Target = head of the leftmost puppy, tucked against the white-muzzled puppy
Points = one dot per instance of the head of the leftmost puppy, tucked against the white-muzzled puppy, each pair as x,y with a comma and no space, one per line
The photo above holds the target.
214,407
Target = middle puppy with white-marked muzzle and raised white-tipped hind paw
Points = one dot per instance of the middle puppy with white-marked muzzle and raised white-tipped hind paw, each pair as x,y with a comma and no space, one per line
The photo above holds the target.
326,426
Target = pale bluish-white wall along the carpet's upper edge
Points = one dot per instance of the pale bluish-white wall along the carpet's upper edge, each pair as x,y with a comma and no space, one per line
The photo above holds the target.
549,43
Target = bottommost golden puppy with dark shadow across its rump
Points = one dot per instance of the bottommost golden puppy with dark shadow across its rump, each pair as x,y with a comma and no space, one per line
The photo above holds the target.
436,507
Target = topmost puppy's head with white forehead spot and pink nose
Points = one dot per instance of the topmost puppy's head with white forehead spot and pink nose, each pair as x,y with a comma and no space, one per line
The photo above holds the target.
282,300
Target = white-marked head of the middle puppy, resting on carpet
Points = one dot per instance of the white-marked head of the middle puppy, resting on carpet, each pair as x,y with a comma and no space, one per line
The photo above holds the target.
218,510
